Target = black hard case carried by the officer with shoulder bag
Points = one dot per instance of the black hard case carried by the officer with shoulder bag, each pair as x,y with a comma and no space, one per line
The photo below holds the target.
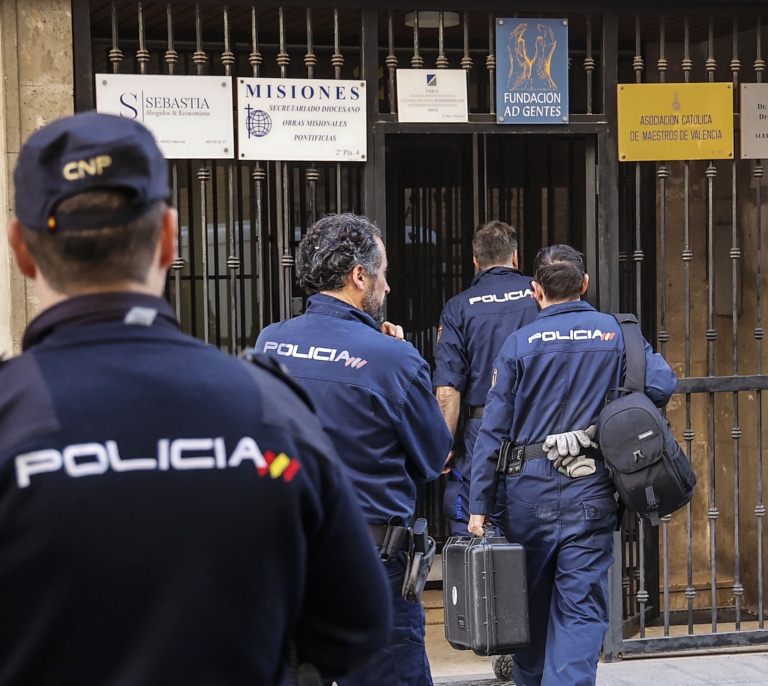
485,595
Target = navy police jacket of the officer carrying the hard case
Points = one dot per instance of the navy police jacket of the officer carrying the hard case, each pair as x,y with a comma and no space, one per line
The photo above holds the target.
552,376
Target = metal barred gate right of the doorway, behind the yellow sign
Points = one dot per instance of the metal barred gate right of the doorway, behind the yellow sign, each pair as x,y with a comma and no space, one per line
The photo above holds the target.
698,226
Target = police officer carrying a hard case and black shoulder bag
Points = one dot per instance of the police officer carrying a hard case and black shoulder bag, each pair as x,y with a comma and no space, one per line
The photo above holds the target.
549,384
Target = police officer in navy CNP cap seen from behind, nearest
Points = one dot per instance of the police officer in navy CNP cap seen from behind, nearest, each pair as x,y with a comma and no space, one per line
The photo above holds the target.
168,514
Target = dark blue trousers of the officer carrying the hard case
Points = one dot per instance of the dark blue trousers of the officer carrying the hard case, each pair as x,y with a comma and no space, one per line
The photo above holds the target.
566,527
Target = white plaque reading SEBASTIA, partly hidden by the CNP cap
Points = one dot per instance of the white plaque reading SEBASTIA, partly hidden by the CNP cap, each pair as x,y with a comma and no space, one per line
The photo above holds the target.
190,116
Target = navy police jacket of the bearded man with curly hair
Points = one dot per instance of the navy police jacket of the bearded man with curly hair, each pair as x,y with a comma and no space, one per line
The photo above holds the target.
374,398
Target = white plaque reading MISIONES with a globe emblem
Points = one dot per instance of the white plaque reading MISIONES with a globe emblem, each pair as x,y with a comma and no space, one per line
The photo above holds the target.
301,119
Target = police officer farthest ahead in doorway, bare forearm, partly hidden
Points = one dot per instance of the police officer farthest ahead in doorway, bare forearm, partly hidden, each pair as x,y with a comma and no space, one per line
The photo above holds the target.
473,326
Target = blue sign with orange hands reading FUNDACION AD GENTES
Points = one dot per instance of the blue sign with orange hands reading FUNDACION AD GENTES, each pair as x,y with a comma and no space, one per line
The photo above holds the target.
532,71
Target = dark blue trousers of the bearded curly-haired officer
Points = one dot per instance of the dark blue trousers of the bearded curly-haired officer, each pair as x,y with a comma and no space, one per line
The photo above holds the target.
403,661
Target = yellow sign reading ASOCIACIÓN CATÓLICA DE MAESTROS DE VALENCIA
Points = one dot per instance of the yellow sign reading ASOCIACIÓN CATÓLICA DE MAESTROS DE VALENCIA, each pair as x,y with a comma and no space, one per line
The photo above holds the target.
675,121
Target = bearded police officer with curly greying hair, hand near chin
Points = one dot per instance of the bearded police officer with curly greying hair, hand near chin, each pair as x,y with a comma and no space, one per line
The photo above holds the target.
374,397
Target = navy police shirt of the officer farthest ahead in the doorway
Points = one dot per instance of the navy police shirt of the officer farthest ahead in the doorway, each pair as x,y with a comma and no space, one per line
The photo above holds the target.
473,326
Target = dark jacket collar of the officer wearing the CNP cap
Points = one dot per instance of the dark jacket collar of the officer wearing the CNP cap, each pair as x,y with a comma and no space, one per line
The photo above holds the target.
85,310
